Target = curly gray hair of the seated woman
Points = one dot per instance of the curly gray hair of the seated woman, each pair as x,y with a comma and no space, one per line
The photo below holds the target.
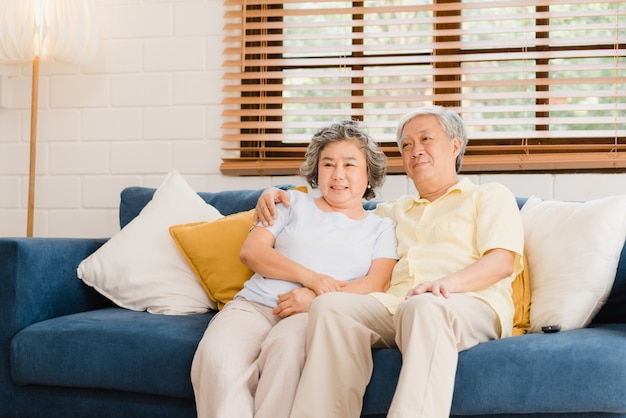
346,130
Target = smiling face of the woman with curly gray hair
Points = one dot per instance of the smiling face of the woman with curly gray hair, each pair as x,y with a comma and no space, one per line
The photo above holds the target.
342,173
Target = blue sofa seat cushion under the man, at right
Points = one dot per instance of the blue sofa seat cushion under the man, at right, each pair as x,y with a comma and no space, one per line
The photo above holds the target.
564,372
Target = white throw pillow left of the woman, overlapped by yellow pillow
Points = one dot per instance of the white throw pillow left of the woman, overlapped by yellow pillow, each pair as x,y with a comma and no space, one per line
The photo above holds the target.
140,267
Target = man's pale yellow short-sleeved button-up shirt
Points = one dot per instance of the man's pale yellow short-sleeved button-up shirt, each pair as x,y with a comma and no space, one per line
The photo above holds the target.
444,236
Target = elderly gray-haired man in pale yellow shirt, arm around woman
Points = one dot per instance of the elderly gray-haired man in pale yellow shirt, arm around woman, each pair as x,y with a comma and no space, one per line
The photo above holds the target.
460,246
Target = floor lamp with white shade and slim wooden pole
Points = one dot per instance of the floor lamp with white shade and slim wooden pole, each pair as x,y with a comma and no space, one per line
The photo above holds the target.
33,30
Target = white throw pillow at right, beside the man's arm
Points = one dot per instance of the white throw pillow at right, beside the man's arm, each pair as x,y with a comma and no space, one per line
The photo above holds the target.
572,249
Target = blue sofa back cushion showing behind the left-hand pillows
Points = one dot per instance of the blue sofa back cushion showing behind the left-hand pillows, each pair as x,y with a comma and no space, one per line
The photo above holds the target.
133,199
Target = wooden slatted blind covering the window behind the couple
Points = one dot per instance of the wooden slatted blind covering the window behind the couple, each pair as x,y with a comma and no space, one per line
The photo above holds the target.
540,84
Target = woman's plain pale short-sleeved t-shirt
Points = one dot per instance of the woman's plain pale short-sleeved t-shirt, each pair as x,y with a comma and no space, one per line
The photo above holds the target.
329,243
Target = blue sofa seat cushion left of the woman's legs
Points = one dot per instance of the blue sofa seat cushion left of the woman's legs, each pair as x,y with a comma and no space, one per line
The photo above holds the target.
111,348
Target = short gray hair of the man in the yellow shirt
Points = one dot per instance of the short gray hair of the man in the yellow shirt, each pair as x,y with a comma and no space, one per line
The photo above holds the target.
450,122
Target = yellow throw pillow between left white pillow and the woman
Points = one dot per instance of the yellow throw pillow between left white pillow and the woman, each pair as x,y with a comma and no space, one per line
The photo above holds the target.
212,249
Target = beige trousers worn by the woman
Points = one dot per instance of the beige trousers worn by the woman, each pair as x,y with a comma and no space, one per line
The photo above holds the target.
248,363
